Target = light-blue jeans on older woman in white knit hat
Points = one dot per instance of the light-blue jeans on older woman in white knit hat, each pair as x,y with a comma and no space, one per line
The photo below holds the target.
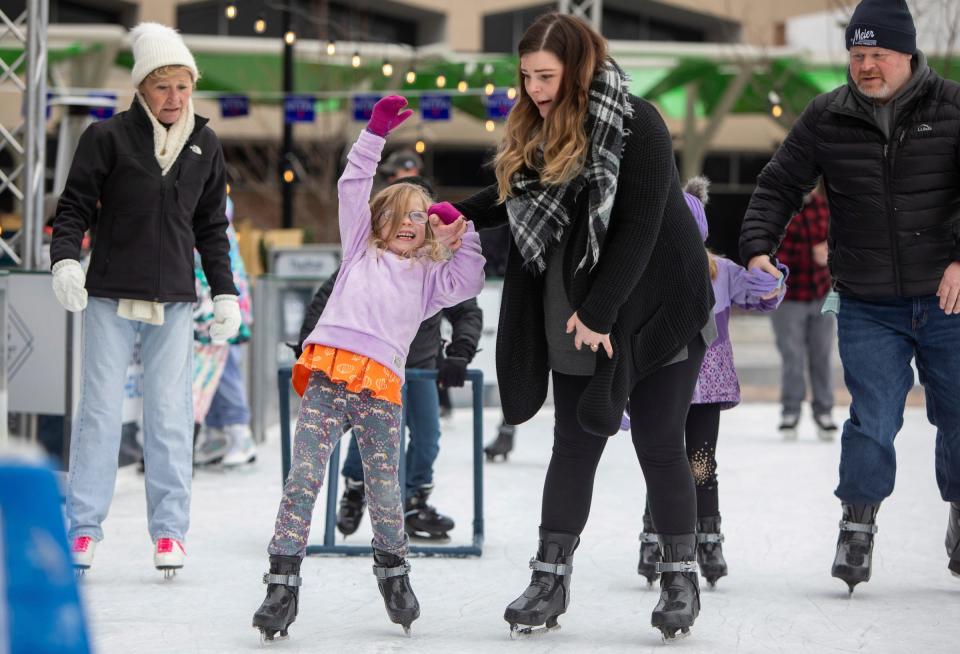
167,352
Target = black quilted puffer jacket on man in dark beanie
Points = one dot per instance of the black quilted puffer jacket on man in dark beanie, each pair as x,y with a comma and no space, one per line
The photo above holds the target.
894,206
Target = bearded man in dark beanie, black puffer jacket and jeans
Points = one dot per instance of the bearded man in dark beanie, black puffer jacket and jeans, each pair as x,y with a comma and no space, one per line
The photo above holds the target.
885,145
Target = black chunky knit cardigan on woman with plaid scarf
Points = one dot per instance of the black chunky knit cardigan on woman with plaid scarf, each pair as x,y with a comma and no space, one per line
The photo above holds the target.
650,289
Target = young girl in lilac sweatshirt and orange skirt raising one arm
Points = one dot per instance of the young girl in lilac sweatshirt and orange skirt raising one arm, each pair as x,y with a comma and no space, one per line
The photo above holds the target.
394,274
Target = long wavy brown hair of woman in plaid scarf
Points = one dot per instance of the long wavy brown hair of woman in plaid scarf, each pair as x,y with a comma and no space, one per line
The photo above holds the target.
562,133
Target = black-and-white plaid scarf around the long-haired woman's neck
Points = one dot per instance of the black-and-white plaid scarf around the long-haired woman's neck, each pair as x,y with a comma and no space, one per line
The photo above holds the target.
539,213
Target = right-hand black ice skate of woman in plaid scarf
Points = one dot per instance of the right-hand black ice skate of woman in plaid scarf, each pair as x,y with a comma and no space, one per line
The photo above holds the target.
679,603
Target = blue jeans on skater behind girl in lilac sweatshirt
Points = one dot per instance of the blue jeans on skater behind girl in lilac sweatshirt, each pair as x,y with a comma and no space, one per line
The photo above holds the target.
423,421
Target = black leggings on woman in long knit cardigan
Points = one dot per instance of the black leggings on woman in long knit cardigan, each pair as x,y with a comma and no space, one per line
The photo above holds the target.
658,414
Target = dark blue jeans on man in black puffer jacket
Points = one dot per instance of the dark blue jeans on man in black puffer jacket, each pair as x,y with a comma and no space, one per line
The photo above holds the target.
878,338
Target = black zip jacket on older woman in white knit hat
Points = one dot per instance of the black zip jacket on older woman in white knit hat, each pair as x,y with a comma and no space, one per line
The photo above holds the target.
148,224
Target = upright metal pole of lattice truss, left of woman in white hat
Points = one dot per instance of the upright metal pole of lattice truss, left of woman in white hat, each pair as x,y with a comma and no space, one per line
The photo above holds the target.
36,128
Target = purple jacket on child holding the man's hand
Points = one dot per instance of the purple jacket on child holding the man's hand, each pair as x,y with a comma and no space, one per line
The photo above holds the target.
717,382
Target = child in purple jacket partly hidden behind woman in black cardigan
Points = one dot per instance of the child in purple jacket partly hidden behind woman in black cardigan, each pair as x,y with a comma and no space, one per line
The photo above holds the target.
717,389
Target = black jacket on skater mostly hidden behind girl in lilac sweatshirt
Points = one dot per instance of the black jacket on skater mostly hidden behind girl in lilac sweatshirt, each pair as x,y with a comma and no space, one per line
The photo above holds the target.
466,318
